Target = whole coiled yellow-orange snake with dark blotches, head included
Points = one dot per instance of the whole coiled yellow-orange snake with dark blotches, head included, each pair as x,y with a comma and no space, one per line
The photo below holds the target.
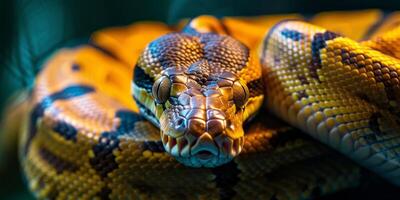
203,87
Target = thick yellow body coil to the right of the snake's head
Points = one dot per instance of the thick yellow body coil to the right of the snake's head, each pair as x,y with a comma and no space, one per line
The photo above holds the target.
341,92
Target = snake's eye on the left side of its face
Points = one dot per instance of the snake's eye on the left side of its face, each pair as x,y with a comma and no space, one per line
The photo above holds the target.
161,89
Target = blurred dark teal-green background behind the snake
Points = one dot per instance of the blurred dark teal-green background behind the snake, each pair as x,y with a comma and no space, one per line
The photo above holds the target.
31,29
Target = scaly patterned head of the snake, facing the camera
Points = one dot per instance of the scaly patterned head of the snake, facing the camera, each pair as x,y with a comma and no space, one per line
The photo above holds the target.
199,95
